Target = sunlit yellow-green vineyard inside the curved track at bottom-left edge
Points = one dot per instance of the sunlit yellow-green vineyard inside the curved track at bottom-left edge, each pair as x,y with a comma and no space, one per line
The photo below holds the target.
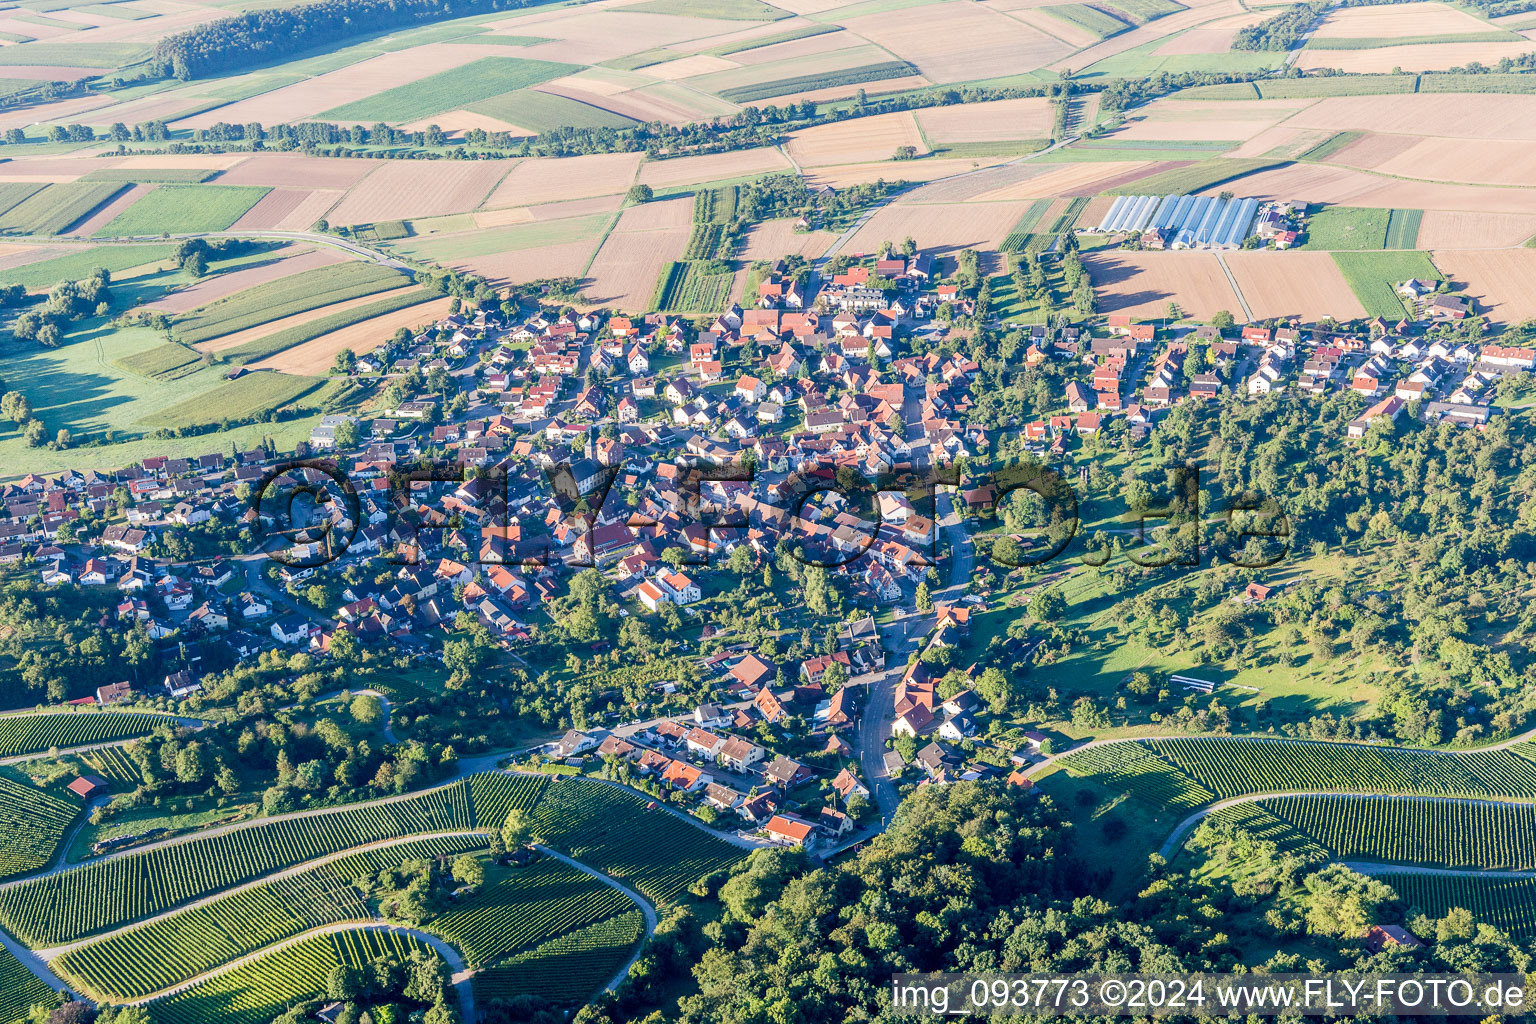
260,991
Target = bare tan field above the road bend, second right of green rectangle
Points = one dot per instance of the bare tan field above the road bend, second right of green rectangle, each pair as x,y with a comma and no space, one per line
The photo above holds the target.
402,190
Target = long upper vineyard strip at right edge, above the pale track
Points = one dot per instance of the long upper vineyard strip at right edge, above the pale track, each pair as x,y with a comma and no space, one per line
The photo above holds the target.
1233,767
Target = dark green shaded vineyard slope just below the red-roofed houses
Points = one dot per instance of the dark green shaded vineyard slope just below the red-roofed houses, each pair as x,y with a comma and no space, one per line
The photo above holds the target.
611,830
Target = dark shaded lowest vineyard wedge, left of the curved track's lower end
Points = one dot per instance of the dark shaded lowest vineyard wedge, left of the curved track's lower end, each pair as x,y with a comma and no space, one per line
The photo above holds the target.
568,969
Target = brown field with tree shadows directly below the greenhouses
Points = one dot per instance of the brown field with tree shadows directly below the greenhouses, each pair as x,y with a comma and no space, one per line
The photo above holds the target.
1145,283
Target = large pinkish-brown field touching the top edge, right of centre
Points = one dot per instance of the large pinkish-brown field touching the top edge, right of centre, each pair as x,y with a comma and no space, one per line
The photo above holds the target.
959,42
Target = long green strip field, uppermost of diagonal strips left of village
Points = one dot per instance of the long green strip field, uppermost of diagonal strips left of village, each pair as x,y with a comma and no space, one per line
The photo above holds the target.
285,297
